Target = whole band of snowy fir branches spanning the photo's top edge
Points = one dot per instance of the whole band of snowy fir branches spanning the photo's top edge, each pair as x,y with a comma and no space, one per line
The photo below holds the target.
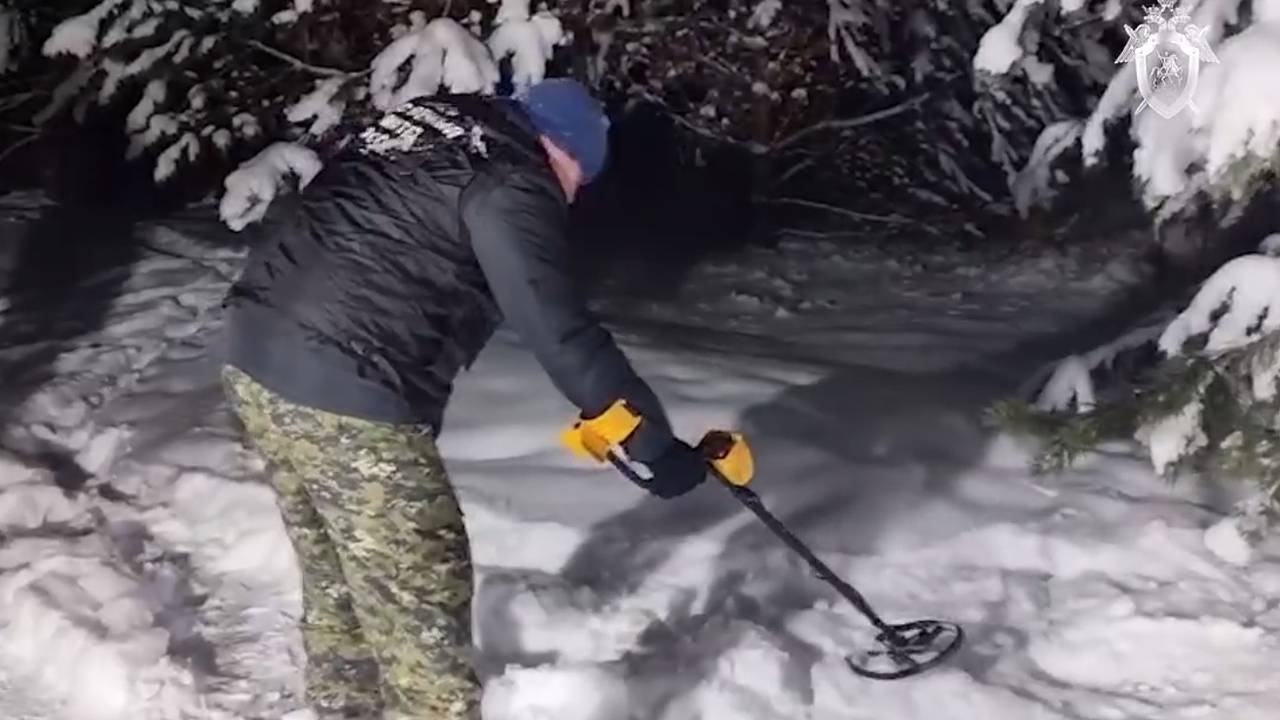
1035,83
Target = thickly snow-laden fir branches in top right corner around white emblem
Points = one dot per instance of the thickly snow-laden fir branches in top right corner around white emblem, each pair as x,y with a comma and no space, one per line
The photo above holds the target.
1226,152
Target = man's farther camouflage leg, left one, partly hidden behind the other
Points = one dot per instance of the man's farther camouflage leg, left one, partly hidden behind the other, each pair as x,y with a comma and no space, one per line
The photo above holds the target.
341,669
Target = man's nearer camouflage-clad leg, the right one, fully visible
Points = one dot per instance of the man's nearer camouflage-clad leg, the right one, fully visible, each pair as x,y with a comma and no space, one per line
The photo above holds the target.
401,539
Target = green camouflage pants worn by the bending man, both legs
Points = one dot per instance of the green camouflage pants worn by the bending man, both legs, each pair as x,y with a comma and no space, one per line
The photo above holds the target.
383,552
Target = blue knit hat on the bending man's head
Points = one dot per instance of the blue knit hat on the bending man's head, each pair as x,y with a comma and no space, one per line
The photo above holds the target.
566,113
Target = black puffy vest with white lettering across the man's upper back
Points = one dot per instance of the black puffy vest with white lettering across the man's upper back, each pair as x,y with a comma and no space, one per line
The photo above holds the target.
367,299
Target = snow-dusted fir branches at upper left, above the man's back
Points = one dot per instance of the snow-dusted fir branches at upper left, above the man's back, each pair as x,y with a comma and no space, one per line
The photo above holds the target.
226,76
